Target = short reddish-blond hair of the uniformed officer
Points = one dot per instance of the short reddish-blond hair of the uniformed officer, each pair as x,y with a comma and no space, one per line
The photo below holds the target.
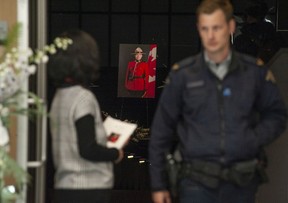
209,6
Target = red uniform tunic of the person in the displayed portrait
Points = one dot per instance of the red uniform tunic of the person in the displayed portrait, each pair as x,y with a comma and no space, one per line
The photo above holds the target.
137,76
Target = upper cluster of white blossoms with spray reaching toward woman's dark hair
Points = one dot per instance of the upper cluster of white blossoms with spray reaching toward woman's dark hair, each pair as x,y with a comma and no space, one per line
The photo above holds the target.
15,68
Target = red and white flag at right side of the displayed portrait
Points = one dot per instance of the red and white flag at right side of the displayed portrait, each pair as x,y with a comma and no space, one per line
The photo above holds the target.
152,71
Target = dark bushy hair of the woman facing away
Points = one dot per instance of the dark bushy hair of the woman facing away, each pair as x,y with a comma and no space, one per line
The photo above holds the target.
78,64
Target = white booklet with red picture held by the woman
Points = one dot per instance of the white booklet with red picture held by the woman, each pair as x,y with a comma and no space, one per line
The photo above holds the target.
118,132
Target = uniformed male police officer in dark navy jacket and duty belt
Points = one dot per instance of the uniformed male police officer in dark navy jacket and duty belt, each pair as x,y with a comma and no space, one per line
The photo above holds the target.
224,108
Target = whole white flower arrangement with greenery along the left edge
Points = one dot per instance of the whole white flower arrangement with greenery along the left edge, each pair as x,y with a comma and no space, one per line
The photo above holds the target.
16,65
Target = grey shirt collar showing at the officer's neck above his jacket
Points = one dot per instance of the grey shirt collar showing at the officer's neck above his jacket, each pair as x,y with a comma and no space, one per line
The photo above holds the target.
219,69
